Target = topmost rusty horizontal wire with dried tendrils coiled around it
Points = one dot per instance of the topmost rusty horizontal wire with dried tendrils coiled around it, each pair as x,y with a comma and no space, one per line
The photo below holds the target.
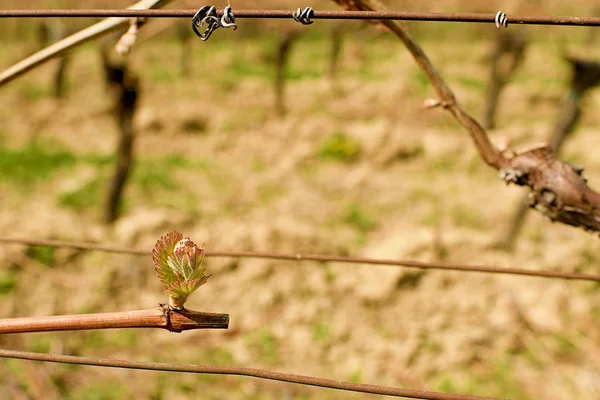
362,15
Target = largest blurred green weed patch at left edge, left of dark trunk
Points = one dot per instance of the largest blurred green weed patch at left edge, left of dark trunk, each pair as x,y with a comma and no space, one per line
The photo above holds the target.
27,165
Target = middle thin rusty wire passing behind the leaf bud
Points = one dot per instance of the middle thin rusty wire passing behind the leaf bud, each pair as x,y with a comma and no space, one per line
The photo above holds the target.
319,258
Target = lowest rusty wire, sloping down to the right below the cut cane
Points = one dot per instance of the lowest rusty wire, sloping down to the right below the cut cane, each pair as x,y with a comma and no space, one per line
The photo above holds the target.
241,371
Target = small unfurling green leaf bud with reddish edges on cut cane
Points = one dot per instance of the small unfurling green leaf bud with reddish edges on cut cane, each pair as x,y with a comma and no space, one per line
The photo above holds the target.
178,261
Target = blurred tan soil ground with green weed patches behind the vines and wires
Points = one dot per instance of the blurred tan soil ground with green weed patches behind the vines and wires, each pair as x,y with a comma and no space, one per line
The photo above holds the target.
348,164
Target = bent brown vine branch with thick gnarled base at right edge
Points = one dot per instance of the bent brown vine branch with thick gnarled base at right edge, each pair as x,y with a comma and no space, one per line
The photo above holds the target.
557,190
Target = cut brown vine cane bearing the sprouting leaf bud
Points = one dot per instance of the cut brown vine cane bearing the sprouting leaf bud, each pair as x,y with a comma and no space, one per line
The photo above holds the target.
160,317
